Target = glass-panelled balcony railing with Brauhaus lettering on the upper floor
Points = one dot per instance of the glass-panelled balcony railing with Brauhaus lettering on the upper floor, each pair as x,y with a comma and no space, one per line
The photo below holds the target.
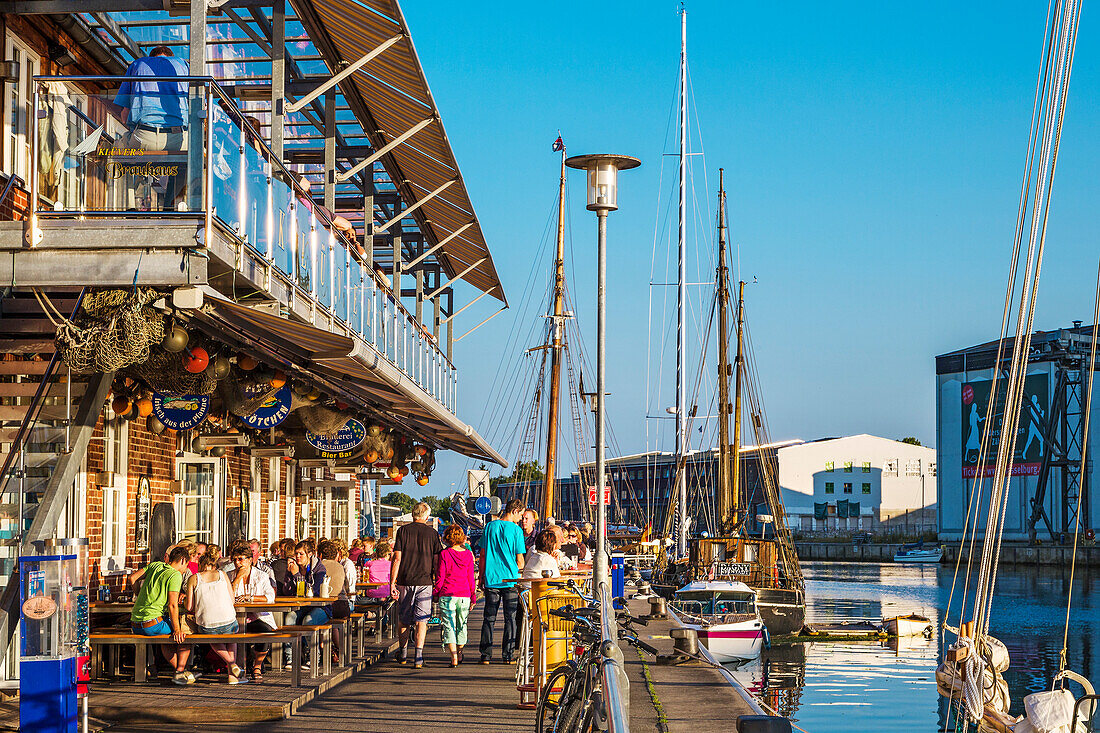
180,148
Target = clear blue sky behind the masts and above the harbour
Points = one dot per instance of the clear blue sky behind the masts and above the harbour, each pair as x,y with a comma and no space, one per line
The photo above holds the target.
873,157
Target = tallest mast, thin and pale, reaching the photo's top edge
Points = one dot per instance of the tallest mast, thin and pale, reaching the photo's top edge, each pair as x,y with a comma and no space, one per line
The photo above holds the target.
683,298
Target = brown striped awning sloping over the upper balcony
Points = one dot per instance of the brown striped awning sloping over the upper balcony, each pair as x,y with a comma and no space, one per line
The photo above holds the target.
397,92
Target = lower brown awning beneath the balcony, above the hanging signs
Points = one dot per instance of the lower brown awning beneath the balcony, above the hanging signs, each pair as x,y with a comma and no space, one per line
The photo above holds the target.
349,366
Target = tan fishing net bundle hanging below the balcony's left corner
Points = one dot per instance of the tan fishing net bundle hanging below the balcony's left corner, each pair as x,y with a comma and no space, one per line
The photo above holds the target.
115,330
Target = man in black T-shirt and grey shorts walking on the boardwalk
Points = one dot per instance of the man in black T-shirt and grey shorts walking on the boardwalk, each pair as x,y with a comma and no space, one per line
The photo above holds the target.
416,548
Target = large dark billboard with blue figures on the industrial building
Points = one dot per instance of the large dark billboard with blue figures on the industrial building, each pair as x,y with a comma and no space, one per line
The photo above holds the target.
1030,447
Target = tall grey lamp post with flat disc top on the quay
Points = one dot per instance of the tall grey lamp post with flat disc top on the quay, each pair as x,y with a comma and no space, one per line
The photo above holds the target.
603,198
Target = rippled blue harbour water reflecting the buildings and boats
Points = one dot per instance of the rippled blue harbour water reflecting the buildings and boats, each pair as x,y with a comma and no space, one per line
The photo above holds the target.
892,686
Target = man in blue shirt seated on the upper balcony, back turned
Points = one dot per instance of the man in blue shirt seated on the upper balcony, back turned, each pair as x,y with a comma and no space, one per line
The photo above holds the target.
157,115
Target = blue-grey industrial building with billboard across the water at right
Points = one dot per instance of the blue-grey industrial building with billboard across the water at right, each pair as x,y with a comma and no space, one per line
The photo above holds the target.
1047,486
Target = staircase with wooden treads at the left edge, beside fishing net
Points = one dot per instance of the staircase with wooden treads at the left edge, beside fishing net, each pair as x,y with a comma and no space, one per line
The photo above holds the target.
47,419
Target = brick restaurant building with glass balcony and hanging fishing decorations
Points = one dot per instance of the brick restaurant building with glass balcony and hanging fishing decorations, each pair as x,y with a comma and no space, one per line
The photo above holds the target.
232,298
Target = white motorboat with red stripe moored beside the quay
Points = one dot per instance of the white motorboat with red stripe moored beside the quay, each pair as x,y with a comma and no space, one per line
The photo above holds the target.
725,617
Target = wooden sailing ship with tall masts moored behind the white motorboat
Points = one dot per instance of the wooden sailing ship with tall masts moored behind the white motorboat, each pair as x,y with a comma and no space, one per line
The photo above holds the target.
769,567
